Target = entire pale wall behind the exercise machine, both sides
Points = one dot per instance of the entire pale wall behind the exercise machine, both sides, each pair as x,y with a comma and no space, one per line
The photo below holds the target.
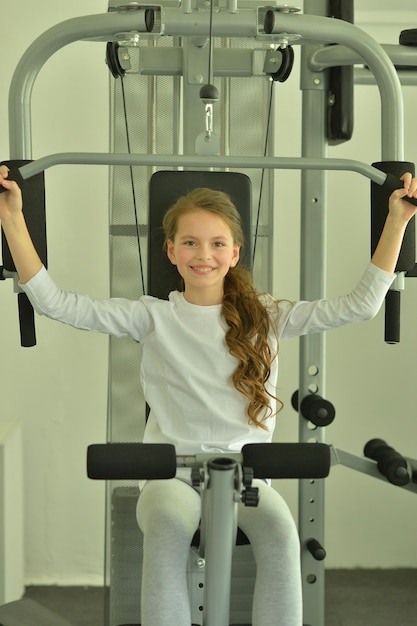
58,389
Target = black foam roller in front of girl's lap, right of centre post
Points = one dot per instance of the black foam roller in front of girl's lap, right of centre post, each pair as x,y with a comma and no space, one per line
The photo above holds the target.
287,460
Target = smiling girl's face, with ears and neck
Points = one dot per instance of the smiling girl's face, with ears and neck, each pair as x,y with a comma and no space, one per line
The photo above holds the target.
203,251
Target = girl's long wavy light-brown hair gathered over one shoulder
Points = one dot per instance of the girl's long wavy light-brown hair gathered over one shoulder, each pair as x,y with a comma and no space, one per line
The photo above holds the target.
248,336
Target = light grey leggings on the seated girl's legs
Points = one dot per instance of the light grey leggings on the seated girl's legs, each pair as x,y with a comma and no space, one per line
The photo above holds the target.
168,514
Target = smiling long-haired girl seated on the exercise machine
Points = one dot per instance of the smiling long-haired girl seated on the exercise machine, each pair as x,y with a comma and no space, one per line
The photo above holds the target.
209,373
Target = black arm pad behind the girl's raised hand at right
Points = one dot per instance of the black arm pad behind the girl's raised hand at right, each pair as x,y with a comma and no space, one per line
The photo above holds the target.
379,210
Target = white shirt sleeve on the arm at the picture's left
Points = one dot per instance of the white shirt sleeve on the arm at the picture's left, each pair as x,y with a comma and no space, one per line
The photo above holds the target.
114,316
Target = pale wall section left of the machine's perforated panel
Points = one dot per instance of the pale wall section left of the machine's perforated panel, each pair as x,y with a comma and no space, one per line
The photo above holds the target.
58,389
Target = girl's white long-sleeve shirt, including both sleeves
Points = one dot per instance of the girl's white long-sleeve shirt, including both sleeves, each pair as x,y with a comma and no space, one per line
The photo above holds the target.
186,366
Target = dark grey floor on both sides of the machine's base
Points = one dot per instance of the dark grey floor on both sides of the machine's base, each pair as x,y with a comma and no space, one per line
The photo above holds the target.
353,598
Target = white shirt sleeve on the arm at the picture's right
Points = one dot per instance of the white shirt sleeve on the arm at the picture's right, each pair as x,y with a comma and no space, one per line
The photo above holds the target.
363,303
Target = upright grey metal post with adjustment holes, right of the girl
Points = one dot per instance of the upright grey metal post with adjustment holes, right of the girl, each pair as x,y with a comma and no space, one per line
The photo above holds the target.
312,347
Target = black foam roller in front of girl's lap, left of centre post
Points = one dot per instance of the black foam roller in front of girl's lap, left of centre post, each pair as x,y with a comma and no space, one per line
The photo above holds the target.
131,461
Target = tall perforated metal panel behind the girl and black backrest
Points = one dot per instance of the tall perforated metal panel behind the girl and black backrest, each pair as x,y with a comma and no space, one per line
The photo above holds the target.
146,117
